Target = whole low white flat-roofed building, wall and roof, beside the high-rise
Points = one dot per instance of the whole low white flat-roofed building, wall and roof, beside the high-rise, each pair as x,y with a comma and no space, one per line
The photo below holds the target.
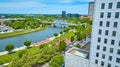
76,58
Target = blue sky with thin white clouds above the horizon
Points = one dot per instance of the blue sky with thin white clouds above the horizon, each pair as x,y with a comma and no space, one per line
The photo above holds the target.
43,6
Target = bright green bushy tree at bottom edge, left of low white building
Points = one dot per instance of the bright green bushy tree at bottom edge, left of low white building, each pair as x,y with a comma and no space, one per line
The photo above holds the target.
56,61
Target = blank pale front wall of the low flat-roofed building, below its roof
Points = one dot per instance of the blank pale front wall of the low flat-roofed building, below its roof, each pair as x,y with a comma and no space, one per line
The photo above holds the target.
75,61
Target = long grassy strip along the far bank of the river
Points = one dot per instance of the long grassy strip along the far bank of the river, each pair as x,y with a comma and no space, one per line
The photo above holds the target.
21,32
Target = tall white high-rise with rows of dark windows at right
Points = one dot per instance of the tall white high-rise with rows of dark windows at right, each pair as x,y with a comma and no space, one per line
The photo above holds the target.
105,43
